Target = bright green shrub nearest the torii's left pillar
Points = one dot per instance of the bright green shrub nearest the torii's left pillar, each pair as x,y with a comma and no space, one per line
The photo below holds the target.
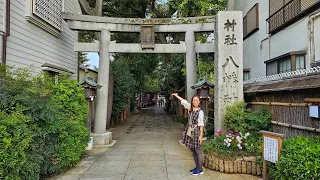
72,136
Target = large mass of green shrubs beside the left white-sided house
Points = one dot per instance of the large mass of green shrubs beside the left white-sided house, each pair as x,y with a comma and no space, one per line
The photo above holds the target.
56,115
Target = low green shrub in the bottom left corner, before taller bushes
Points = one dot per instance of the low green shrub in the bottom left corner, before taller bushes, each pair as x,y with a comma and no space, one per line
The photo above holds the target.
17,160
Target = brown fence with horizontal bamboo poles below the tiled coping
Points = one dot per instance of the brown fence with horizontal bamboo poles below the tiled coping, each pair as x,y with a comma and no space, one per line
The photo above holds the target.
290,110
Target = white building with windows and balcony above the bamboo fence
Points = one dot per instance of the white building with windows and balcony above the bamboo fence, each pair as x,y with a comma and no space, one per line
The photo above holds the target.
279,35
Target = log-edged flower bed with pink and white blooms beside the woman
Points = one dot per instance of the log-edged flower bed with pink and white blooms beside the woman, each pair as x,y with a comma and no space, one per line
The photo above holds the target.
238,148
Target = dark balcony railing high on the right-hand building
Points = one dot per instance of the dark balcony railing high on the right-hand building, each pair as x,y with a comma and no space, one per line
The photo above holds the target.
290,13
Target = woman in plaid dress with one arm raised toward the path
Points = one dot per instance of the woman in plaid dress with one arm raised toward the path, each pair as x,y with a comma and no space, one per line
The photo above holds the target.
192,136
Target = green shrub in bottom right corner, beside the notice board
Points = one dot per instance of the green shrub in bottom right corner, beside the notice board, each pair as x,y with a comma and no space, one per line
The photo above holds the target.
299,159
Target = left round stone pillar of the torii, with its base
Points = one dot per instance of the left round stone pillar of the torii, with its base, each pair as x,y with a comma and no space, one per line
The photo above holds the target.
100,136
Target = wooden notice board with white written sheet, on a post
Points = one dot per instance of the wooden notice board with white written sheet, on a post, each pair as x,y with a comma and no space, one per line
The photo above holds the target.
271,149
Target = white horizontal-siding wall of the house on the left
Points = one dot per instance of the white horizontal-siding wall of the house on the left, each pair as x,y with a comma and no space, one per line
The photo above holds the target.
29,44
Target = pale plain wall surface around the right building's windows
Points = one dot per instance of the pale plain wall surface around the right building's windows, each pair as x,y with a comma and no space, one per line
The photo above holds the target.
292,38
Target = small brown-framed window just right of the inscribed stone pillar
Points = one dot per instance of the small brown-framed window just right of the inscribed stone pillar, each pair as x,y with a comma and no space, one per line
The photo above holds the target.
251,21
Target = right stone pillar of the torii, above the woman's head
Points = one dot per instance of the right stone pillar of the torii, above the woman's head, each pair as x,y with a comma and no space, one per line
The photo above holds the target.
191,65
